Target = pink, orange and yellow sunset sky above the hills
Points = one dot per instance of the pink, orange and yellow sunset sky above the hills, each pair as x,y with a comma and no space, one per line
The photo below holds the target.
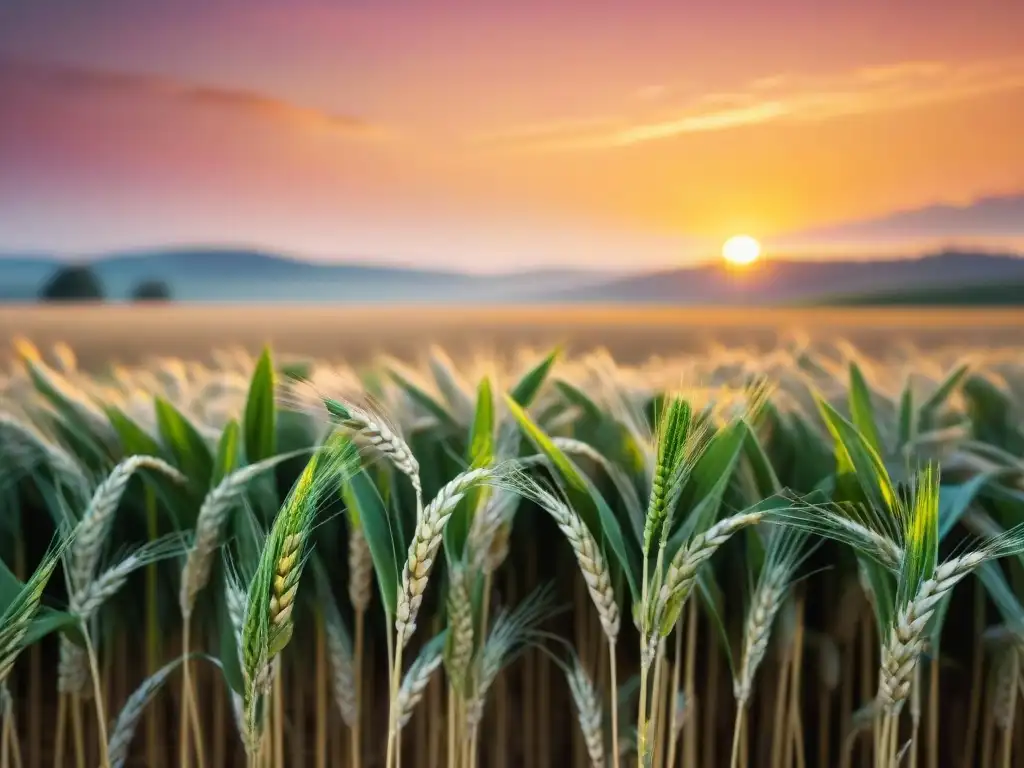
490,136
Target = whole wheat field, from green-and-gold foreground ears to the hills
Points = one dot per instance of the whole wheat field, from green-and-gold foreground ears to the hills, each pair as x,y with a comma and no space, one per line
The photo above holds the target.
678,539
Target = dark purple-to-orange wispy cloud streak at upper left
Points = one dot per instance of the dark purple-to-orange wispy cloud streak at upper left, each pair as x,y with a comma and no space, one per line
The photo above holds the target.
64,81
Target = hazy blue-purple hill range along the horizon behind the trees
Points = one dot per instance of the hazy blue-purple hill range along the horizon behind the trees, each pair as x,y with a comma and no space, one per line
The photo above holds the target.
240,275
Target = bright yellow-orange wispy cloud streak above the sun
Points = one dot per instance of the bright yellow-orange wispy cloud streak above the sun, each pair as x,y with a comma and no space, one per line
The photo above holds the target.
782,98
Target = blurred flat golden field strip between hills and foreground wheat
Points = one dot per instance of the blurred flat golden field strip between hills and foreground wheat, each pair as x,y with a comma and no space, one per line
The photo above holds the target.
130,334
